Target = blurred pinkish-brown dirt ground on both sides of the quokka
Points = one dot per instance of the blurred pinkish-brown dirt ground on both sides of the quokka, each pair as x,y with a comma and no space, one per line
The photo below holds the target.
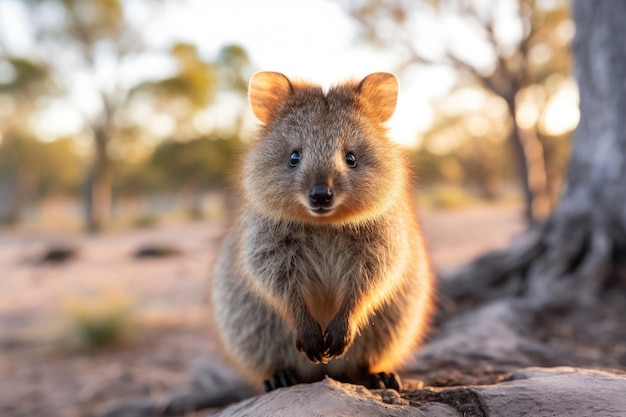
43,374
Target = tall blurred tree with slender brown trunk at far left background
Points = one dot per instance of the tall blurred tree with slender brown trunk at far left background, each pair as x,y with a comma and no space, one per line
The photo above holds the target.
85,36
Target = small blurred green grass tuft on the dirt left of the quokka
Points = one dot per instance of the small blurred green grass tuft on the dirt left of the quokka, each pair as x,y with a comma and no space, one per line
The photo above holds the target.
98,321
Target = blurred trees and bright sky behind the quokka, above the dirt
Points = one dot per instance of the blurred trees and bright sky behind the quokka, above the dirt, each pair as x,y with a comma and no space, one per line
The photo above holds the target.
126,113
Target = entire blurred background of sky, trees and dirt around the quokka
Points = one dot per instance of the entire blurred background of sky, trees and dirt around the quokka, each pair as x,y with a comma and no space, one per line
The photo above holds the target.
119,126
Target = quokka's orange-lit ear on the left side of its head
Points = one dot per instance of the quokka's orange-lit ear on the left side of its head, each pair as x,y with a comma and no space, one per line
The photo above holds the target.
267,90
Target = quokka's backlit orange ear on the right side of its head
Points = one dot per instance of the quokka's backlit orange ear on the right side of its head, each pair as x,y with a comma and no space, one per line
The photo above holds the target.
378,92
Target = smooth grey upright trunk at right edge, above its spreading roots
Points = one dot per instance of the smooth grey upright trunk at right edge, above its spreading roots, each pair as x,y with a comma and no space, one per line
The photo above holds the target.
596,171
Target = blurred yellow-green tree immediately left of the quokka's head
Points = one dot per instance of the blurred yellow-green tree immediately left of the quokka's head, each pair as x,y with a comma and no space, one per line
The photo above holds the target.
196,157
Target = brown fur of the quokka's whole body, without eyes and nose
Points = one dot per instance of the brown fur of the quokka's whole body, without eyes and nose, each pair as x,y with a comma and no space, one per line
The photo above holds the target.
342,294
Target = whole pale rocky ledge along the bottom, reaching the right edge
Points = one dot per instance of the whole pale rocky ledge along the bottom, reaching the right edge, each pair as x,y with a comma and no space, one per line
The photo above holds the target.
562,391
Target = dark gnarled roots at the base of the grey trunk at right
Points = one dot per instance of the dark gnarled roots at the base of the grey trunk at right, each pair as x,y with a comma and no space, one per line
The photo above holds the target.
568,259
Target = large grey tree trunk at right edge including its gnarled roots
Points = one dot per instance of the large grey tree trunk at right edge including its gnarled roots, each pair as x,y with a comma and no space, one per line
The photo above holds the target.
574,255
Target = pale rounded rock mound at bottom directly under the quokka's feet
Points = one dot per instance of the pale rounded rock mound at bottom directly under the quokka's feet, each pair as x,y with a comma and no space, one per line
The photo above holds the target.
330,398
